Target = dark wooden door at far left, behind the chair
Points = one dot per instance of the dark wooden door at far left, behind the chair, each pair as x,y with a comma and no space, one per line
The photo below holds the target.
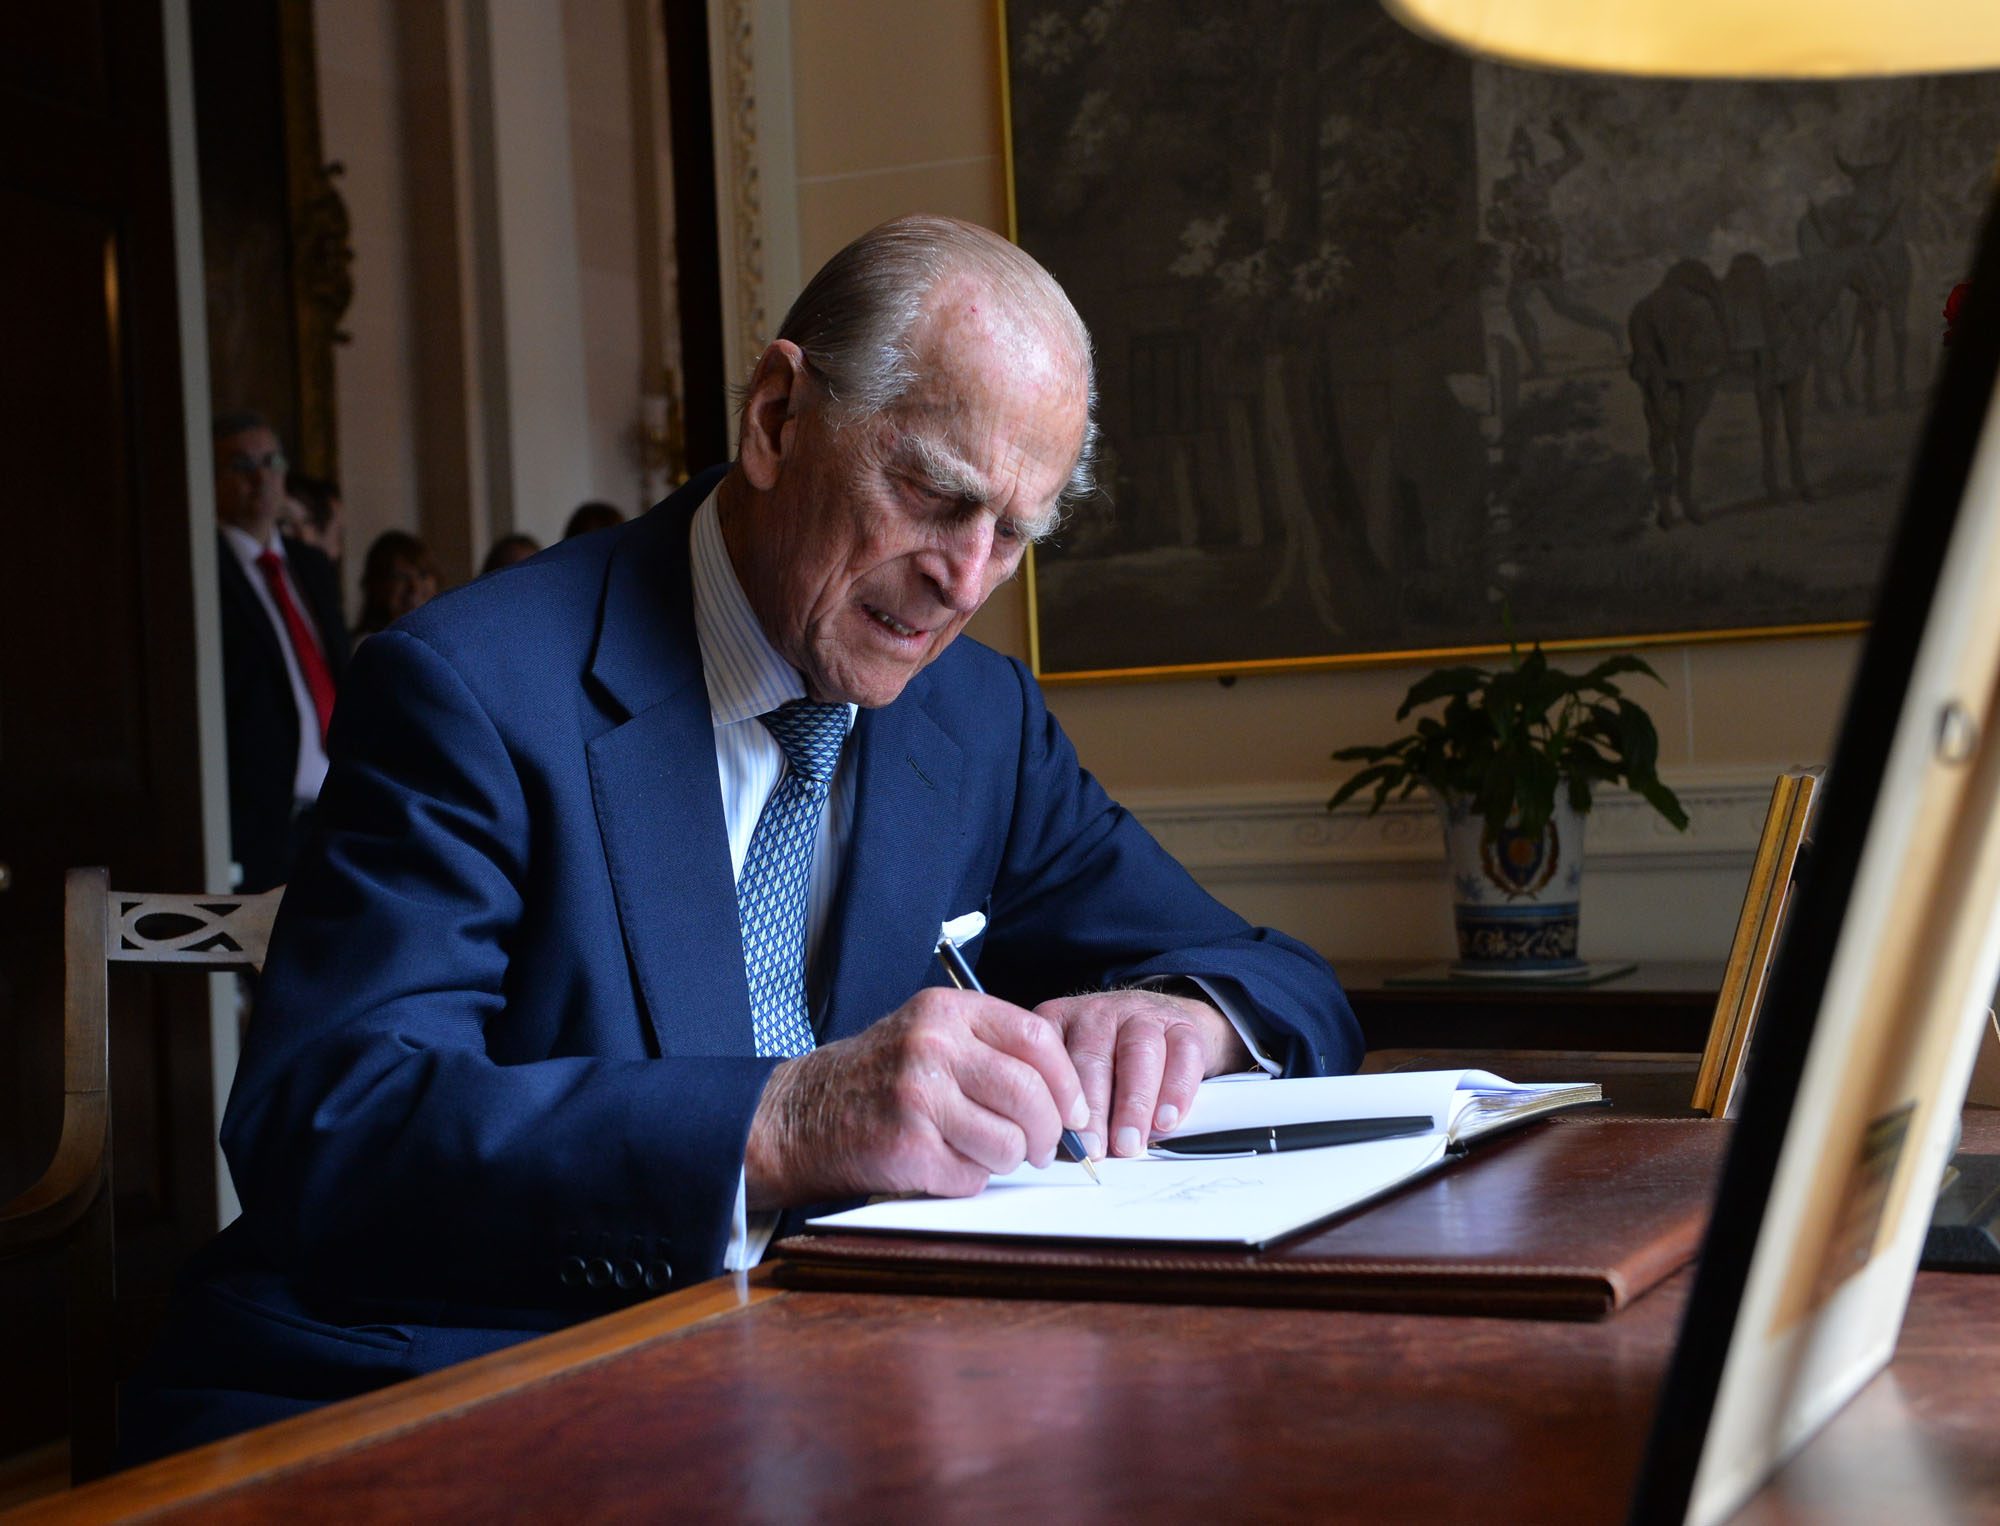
99,757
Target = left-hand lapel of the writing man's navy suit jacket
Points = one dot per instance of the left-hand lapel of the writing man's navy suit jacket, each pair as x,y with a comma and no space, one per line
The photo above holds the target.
653,781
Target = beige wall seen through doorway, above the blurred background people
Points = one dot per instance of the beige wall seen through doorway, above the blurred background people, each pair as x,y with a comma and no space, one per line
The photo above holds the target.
459,345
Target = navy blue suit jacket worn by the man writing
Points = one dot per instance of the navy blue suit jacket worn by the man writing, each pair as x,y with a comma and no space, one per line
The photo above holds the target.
505,1029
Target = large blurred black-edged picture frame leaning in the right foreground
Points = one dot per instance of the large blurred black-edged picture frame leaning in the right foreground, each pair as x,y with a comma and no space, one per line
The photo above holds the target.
1877,997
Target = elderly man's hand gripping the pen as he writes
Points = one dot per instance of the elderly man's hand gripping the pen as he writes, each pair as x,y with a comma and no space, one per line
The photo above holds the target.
943,1093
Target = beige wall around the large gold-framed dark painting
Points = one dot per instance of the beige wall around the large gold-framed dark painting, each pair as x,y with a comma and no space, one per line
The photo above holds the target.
931,141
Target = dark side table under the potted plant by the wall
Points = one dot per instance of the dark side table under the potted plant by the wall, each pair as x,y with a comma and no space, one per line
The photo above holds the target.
1661,1007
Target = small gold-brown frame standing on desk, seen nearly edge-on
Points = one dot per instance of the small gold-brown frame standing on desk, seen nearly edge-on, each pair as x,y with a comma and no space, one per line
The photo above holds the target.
1787,833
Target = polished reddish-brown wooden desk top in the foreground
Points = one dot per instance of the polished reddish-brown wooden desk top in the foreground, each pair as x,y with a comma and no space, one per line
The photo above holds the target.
741,1403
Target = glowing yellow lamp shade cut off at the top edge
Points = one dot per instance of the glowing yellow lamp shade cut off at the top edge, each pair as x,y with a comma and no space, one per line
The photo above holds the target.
1721,39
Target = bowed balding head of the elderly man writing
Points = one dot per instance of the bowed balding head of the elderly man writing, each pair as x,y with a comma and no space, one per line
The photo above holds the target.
913,429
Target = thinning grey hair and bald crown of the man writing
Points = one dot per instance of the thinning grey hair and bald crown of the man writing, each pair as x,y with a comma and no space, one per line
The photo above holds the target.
863,319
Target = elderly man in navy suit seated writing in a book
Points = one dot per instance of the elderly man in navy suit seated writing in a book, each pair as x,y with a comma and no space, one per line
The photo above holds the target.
619,943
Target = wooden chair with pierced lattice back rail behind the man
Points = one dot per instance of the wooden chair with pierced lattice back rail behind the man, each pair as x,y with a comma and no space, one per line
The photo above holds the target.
71,1203
